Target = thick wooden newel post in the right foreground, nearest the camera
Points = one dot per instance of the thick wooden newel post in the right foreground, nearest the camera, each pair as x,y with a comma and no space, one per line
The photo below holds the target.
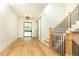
68,43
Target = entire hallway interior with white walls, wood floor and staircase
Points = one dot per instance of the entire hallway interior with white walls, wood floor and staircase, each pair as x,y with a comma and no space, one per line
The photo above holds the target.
55,25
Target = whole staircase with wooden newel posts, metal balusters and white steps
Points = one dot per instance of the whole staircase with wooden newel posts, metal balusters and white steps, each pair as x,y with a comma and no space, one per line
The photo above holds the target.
65,29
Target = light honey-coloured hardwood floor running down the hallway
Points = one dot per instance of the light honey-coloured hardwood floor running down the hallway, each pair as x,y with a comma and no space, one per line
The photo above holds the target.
28,48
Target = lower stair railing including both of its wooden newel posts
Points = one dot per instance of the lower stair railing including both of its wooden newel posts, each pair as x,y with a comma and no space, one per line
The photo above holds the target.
60,42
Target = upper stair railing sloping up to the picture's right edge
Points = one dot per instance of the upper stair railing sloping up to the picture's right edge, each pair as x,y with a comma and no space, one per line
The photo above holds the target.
70,20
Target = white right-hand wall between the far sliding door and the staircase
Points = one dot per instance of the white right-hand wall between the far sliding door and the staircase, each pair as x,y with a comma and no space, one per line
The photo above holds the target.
51,16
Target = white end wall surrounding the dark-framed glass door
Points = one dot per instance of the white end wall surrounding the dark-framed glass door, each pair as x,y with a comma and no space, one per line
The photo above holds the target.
34,27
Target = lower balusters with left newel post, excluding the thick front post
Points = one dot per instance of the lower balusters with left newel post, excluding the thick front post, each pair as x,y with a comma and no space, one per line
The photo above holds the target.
56,42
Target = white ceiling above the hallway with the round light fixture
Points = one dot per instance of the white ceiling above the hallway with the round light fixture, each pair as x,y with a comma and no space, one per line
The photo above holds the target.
32,9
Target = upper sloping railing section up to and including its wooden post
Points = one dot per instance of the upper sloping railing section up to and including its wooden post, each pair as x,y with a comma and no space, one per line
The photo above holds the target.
64,25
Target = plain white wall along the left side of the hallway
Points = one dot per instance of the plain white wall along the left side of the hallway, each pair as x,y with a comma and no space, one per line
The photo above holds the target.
8,26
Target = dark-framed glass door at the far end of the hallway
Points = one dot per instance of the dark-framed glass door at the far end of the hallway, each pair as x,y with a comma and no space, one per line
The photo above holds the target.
27,29
